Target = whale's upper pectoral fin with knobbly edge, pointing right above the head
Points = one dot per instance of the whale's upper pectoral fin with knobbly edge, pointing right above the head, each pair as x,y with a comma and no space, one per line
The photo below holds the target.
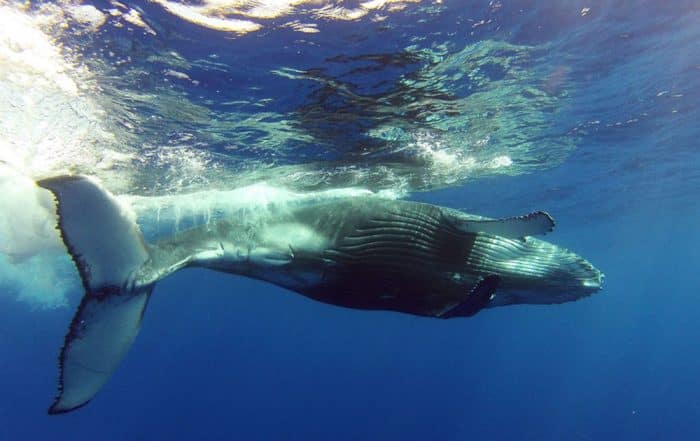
532,224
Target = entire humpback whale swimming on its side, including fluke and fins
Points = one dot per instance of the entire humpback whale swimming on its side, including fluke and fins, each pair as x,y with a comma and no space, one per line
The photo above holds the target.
362,252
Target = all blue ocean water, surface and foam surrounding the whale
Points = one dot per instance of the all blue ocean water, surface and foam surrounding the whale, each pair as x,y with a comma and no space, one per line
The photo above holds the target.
589,110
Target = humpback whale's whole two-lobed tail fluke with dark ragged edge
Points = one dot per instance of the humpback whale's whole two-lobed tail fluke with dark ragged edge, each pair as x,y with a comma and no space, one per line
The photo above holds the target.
106,245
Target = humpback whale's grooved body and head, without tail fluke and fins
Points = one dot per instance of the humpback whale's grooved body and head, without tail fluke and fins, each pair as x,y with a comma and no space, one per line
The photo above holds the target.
372,253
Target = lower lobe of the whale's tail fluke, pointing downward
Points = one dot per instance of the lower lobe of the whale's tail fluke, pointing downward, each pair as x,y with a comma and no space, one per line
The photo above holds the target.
103,329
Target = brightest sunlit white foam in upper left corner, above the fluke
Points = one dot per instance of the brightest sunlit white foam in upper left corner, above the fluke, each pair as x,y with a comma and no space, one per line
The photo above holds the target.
48,124
